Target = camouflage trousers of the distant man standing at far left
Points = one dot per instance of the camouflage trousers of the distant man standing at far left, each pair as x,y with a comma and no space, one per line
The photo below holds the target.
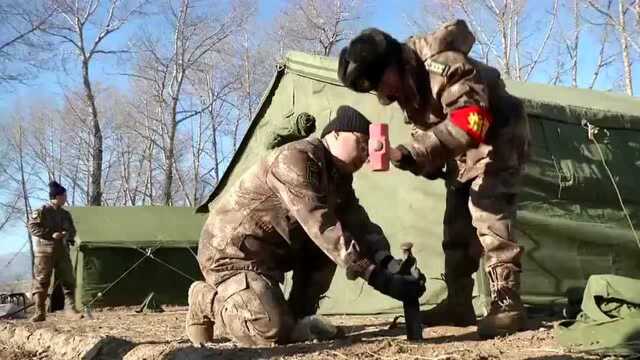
52,256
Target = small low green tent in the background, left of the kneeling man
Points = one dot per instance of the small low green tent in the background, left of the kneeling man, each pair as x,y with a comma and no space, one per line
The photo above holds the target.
122,254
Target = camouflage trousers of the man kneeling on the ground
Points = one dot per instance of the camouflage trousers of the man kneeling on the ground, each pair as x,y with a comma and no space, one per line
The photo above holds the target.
251,308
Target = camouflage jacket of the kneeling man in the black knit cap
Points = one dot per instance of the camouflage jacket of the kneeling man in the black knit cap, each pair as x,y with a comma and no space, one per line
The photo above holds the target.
293,195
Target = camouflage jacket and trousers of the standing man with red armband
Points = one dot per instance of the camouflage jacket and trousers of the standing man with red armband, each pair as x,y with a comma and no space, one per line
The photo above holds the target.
480,132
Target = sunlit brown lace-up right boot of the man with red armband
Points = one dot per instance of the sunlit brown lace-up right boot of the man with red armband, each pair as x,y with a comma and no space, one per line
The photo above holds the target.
506,314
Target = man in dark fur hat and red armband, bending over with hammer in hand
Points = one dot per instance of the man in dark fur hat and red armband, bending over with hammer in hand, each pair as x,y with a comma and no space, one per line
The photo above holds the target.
463,120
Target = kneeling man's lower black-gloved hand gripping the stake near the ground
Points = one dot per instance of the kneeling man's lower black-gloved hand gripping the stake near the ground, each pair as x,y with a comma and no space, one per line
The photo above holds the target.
399,287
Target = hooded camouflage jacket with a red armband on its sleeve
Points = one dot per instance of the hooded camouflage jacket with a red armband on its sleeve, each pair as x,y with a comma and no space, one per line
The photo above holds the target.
471,113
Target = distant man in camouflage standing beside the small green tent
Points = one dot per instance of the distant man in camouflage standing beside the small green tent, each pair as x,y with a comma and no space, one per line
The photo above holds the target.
52,228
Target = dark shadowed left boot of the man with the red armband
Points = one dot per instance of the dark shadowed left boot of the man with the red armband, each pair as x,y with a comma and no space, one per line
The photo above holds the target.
457,308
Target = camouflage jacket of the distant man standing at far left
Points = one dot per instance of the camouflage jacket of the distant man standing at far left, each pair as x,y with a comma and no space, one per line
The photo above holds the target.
46,221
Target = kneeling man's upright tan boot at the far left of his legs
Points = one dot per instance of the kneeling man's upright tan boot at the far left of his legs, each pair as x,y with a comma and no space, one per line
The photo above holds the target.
199,322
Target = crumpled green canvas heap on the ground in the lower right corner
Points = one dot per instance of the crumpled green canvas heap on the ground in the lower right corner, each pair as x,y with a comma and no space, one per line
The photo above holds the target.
610,317
